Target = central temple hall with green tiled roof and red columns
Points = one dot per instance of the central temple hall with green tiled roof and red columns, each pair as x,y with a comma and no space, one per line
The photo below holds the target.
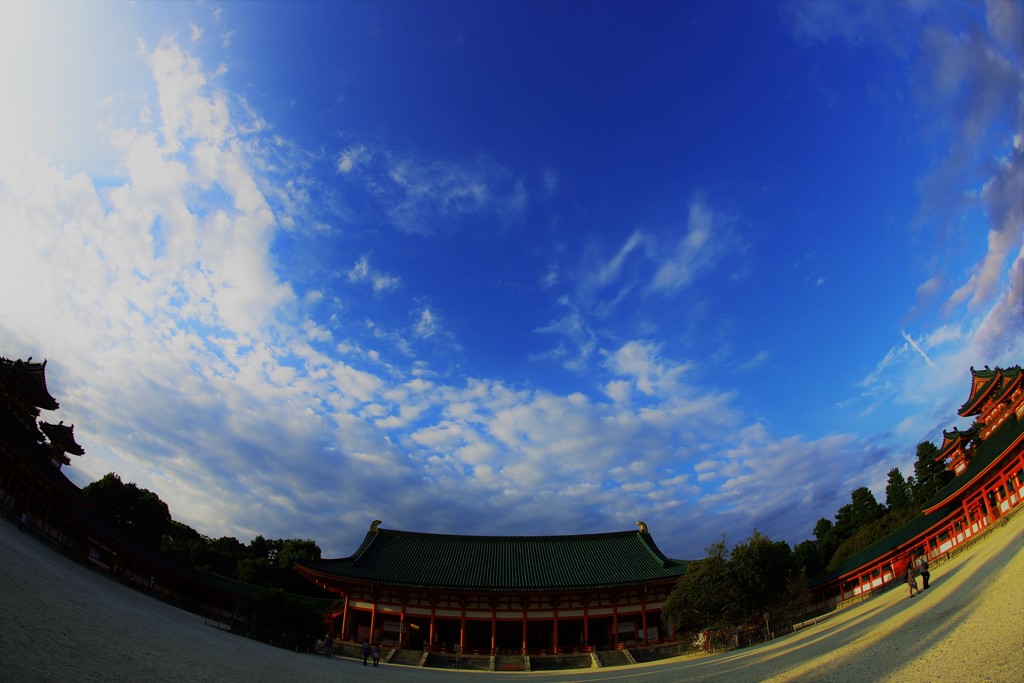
490,594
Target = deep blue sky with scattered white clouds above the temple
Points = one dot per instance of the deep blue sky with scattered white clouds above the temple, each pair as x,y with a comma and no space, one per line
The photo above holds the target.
510,269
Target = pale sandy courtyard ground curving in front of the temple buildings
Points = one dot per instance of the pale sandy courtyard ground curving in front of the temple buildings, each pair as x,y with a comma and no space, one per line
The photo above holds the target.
62,622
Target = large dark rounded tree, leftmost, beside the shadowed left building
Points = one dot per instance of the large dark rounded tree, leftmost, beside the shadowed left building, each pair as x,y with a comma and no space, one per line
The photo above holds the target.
138,510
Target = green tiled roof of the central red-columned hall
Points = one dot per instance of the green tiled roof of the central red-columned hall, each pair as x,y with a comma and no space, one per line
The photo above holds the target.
504,564
